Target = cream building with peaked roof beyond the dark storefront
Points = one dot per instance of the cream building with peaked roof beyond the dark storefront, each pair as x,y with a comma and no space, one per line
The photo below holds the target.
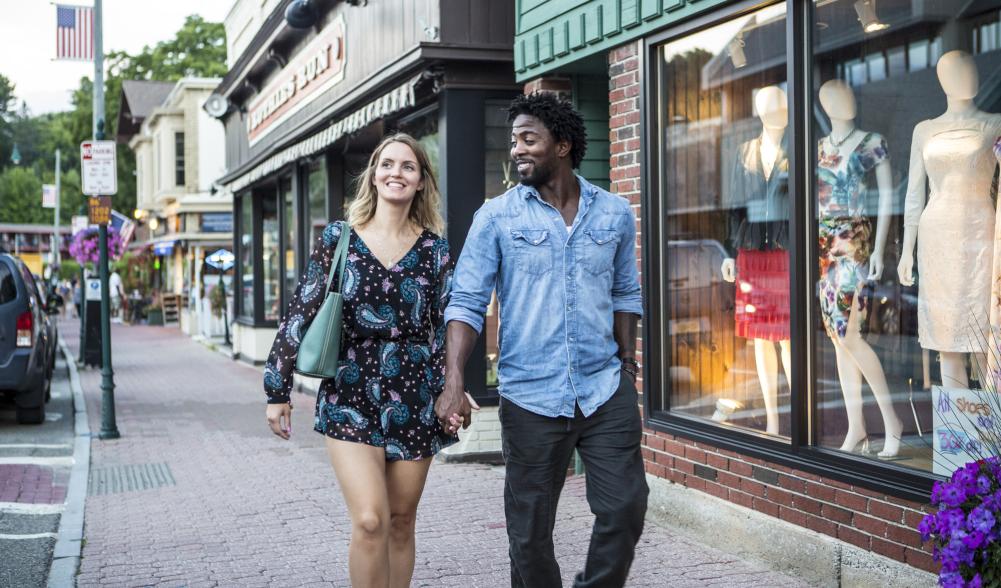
185,217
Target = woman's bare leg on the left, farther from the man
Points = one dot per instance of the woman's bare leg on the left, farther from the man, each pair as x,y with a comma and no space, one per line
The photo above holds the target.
362,474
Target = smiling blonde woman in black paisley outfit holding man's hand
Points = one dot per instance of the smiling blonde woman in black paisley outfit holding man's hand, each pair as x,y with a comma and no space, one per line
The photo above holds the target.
379,413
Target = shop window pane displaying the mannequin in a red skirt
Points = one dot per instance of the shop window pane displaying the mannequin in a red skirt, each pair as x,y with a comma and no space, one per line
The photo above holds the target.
723,210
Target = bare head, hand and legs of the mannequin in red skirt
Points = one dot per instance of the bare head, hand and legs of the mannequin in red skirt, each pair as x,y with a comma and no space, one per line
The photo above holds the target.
772,109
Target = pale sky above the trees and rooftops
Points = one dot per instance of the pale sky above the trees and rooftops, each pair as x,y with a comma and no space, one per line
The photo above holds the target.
29,47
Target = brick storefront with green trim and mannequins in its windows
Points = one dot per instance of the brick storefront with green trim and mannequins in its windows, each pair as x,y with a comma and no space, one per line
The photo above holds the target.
817,188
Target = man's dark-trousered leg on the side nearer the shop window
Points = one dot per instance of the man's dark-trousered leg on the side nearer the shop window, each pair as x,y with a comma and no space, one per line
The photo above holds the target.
617,487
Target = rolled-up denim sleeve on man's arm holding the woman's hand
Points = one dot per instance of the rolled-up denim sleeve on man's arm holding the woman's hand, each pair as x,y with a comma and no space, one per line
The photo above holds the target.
476,274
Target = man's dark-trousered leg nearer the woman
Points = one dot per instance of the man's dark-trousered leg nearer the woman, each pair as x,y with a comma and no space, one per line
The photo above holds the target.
537,452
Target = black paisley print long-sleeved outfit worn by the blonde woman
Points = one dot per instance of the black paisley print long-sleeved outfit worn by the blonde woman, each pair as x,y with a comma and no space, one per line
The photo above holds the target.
392,366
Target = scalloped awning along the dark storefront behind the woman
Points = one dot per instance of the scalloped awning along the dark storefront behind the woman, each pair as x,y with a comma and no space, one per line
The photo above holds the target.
398,100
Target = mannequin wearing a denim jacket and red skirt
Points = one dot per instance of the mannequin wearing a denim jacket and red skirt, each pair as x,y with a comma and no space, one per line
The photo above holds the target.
762,233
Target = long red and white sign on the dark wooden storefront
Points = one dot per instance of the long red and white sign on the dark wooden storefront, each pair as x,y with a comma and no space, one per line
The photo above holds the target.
316,69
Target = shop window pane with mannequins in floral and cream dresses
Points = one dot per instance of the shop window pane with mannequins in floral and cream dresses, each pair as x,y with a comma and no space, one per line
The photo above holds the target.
905,209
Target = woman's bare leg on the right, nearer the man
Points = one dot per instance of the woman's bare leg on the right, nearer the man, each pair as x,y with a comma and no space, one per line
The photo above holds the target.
405,485
